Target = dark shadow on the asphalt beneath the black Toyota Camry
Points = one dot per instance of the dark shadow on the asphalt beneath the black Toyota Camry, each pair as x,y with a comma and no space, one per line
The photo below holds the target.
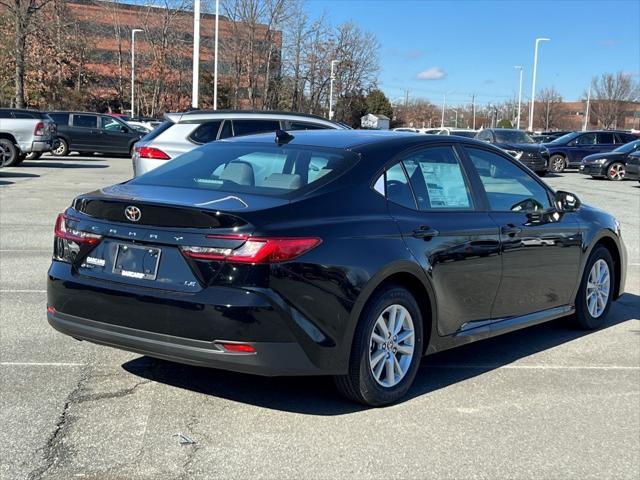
318,396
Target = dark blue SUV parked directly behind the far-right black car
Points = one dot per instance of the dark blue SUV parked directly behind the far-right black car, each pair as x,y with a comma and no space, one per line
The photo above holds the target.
568,150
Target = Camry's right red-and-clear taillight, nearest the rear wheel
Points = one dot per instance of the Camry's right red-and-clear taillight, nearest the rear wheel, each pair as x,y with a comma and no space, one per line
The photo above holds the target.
255,250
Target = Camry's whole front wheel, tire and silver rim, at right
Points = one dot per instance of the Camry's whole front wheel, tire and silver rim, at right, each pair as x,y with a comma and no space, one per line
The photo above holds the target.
596,290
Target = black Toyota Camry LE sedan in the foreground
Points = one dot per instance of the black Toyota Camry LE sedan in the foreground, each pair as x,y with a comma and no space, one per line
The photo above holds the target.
343,253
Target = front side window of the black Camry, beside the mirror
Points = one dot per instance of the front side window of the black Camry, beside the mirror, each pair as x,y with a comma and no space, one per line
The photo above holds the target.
508,187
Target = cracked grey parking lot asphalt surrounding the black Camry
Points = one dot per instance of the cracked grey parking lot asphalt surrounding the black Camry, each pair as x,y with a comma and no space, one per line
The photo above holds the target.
544,402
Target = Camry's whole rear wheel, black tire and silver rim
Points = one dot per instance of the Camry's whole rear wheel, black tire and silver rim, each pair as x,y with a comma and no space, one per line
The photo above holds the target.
386,349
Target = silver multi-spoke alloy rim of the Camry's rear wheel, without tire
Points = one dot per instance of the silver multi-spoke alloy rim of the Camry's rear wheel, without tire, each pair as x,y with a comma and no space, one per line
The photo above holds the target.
392,345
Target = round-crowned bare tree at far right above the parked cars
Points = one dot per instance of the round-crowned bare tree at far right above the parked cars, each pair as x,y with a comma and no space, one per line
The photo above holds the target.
610,92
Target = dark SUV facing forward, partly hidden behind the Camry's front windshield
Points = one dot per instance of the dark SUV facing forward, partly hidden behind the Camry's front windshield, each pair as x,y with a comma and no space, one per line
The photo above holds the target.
519,145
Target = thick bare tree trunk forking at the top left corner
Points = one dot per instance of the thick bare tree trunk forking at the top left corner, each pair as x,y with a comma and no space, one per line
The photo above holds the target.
21,12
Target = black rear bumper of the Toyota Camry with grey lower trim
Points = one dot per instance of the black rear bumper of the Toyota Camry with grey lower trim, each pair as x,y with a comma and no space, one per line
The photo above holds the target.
186,328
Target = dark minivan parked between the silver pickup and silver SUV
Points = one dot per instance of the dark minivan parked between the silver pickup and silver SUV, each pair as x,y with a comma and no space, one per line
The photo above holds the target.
88,133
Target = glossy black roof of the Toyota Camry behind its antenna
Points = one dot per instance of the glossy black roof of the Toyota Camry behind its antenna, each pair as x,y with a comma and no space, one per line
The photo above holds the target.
351,139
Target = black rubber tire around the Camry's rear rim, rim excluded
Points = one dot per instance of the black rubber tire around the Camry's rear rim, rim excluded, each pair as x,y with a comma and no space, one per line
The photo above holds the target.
359,383
